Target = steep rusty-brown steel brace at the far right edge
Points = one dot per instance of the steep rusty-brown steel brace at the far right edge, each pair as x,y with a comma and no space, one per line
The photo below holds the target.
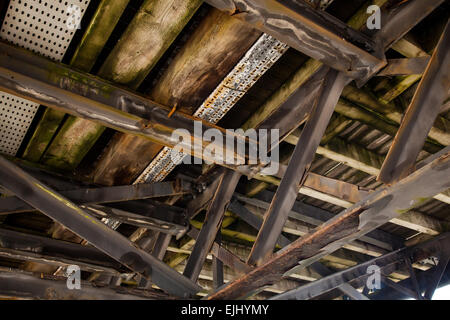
421,114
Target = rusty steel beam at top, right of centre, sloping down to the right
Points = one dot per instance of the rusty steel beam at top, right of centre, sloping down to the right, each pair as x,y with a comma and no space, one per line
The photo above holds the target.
316,34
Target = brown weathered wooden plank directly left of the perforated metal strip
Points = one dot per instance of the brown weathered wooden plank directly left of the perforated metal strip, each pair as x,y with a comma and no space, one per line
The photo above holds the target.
215,46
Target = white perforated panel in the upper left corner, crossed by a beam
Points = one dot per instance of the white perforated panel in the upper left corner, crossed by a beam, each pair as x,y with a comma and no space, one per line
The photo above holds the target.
46,28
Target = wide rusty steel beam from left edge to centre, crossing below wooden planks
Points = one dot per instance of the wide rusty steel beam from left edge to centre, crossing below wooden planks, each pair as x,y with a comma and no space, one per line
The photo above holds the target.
38,79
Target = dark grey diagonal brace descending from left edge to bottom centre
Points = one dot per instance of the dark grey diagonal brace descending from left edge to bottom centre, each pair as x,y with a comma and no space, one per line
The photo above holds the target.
92,230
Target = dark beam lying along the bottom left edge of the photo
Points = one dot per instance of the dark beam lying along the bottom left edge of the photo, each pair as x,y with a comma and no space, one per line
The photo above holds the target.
26,286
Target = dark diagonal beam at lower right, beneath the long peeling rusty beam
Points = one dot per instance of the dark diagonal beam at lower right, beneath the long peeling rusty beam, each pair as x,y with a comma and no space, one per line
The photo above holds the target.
318,287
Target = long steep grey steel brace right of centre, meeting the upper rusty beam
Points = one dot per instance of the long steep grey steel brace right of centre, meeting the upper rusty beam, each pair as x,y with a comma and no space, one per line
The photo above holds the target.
298,166
